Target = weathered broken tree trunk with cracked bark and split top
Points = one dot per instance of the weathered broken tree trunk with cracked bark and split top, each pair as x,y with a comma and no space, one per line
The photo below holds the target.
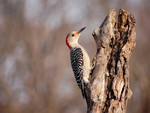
109,88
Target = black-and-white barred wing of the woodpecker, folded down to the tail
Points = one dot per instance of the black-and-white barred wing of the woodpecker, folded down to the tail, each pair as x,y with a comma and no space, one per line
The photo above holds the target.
76,57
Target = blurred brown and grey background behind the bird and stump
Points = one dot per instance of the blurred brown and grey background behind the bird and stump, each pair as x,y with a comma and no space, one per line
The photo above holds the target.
35,70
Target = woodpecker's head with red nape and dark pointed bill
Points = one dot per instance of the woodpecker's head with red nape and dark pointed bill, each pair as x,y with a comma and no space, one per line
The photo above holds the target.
72,38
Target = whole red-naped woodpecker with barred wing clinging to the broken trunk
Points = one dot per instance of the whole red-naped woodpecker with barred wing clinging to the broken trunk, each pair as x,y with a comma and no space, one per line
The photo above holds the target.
80,60
